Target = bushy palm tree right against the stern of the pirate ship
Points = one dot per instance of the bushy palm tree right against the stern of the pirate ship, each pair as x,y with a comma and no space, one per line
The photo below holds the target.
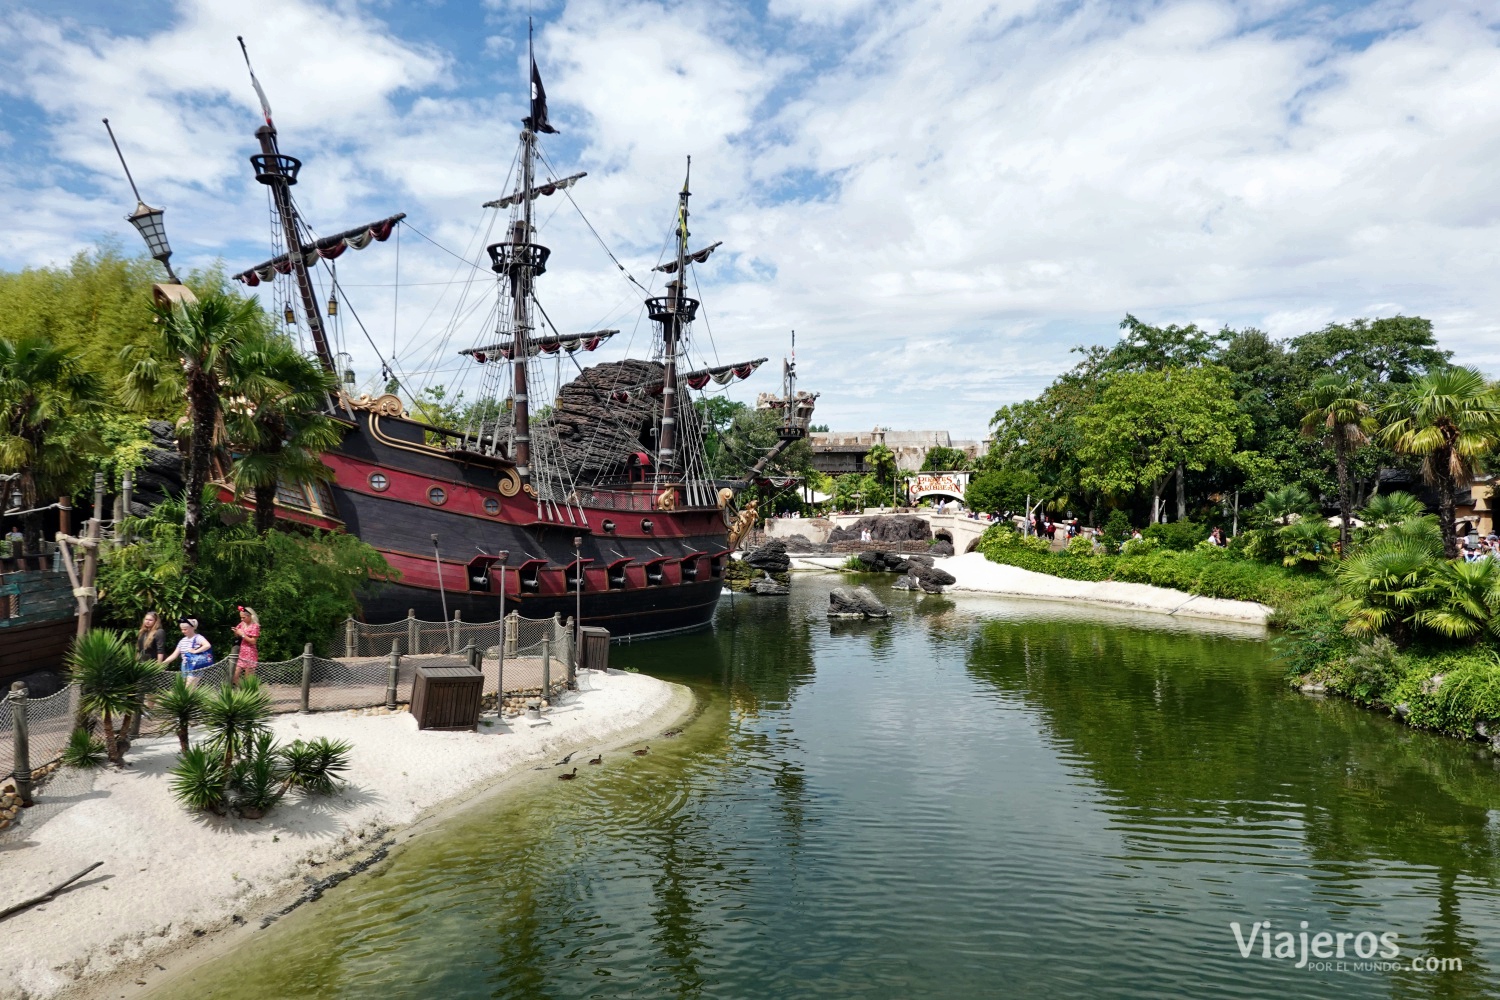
277,422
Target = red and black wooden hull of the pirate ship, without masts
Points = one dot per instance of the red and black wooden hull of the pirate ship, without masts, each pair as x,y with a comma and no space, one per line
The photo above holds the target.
614,555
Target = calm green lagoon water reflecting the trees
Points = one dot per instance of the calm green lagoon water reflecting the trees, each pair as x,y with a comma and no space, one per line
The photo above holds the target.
979,798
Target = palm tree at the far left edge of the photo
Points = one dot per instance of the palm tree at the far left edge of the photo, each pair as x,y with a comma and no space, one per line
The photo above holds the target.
44,389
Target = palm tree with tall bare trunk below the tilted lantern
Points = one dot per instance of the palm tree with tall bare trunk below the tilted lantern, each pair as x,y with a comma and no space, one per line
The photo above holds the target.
199,353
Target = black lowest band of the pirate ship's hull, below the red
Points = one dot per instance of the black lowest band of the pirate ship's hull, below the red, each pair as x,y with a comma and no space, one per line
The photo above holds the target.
626,614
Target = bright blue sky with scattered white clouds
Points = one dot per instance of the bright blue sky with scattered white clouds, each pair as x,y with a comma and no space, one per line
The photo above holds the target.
940,197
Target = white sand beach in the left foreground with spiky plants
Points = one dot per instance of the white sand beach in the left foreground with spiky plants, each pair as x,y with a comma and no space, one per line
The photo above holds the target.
170,873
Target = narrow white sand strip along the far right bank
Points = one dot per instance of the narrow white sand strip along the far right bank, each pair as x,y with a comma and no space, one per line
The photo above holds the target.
977,573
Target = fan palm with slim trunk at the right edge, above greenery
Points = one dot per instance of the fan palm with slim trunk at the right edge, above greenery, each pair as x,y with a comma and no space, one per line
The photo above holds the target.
1450,418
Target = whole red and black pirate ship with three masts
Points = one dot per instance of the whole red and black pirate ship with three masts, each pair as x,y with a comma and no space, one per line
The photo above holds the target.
604,507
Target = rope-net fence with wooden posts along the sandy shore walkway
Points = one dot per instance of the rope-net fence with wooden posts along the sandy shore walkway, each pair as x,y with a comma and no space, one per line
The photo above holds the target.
520,657
